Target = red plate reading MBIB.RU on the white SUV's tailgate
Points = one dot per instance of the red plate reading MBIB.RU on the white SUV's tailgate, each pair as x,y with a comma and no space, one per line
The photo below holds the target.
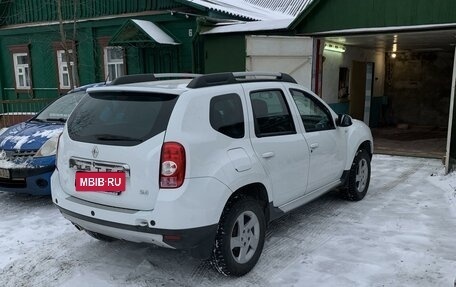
100,181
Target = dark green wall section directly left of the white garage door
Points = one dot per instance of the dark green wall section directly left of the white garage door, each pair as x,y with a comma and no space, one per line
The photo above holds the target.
224,53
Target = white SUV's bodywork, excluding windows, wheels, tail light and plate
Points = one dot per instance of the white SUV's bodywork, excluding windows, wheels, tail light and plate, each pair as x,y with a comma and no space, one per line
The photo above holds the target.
292,169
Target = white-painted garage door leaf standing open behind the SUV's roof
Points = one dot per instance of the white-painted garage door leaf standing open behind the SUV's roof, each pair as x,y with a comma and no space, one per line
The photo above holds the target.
291,55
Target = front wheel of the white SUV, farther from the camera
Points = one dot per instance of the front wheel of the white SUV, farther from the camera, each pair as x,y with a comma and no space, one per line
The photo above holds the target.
359,177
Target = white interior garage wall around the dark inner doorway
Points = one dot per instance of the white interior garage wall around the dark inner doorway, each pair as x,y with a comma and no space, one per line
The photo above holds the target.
334,60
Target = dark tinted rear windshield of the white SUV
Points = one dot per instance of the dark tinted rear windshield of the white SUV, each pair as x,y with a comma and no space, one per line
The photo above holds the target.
120,118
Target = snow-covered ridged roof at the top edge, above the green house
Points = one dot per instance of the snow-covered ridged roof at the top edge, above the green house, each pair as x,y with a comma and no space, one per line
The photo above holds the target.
256,9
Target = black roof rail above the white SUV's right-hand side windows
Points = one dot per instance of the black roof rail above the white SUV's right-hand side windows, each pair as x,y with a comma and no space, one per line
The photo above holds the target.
238,77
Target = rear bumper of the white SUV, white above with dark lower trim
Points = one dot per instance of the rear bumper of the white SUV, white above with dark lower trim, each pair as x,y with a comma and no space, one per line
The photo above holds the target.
180,219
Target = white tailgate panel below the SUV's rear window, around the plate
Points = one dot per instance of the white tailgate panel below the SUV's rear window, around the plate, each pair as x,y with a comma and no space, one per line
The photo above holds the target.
142,161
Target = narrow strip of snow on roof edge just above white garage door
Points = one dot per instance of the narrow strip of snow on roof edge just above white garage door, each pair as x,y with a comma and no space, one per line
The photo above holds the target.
251,26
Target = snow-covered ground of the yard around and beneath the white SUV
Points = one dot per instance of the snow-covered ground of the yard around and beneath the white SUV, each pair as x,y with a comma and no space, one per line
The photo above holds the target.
401,234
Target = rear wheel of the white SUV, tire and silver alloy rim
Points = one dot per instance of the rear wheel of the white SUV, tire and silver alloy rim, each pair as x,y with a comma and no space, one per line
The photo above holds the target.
240,237
